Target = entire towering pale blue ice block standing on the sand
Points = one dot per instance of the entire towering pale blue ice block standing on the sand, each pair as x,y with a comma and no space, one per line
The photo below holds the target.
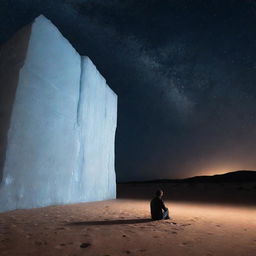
58,120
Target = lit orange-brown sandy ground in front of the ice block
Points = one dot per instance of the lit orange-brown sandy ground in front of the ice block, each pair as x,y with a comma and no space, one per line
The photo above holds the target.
122,227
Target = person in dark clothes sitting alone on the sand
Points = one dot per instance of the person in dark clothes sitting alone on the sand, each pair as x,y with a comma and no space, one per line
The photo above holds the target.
158,209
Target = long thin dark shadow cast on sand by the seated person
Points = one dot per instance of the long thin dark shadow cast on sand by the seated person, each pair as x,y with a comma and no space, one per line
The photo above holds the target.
110,222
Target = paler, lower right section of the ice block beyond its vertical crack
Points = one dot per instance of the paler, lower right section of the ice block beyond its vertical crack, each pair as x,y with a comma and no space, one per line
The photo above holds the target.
98,124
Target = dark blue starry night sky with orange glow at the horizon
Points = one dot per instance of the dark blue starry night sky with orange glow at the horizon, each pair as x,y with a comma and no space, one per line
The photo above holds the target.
184,71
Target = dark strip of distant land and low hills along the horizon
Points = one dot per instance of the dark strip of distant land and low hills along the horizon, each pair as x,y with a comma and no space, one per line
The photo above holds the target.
233,188
